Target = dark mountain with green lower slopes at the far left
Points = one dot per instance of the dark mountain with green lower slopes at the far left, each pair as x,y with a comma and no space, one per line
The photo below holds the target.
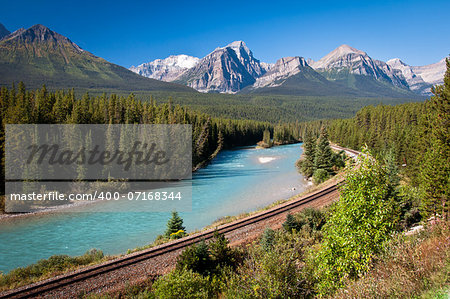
38,55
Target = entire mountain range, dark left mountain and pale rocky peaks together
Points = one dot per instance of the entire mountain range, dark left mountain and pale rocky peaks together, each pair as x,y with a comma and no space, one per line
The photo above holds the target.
38,55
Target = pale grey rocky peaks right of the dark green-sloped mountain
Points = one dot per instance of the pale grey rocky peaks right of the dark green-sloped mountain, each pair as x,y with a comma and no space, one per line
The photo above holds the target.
344,71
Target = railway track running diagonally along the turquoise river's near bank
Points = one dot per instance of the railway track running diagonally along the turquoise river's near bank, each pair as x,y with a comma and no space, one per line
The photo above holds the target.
43,287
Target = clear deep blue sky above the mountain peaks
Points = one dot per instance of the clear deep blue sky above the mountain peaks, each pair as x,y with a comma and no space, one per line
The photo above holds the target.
132,32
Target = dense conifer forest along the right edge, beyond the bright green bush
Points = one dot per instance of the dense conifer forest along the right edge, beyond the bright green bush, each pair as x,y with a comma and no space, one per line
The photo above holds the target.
416,135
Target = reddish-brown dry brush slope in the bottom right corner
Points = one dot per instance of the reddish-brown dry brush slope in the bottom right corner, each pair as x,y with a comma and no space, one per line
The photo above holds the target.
415,266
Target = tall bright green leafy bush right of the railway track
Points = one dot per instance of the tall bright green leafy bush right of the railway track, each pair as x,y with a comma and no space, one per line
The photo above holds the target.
360,224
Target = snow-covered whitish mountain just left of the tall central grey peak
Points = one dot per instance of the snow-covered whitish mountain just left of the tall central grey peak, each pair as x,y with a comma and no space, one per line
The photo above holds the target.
168,69
